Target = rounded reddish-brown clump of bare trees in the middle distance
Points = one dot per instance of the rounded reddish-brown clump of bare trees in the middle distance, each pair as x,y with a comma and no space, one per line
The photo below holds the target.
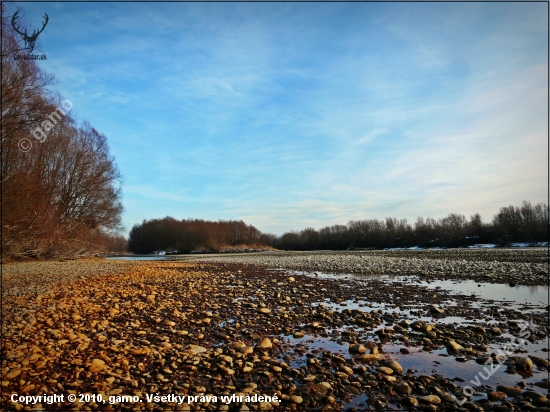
170,235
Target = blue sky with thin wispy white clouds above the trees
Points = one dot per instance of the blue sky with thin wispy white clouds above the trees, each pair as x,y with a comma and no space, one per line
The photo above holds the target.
294,115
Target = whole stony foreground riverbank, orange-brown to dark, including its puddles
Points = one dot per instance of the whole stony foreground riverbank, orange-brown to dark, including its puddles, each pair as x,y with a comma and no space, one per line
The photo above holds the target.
129,328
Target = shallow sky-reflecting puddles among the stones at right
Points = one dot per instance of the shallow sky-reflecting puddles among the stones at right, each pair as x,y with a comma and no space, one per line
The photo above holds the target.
464,371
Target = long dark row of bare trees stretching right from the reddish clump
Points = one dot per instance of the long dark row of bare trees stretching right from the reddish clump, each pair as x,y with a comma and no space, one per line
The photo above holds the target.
525,223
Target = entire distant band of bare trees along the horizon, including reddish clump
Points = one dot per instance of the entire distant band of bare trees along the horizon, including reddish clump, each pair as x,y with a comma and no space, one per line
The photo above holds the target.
525,223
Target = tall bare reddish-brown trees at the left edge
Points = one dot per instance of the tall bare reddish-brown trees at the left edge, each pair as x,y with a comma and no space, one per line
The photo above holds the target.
61,189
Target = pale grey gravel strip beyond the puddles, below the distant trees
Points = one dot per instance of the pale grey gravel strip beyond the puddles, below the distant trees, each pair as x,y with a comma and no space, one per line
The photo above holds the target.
523,267
